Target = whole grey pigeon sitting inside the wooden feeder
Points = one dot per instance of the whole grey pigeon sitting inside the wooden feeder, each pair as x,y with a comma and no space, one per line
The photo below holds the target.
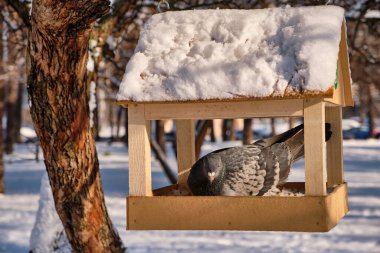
256,169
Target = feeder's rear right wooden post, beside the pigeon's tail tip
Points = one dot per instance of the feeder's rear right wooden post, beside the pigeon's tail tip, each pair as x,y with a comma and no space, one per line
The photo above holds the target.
334,147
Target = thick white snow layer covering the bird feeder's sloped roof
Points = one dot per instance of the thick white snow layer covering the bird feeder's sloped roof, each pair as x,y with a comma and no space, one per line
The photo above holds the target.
227,54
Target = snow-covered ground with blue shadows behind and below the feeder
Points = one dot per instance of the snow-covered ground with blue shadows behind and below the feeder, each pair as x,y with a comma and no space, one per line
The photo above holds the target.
359,231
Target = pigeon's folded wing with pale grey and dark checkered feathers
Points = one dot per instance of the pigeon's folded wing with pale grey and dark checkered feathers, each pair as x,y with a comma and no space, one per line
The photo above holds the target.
250,171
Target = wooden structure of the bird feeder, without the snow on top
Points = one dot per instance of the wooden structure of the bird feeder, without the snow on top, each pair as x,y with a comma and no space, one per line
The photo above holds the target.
319,210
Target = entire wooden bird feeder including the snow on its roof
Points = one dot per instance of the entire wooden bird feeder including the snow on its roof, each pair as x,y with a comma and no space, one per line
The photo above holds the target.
150,93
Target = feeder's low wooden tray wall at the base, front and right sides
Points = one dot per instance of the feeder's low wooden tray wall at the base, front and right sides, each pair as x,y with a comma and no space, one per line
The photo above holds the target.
306,213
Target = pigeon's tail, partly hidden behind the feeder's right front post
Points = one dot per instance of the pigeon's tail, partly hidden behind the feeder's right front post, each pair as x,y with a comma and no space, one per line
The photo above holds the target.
296,142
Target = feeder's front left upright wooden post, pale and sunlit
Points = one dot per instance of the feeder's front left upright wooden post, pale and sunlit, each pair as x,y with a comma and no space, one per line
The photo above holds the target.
140,181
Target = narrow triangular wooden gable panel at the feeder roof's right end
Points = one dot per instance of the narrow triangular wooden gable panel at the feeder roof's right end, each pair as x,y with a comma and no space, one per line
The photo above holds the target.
345,67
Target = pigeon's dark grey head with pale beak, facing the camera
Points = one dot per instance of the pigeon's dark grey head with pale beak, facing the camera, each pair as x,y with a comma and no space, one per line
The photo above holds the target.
212,167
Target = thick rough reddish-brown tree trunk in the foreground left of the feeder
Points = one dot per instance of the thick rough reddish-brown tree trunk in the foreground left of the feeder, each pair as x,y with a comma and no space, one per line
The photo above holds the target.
58,51
